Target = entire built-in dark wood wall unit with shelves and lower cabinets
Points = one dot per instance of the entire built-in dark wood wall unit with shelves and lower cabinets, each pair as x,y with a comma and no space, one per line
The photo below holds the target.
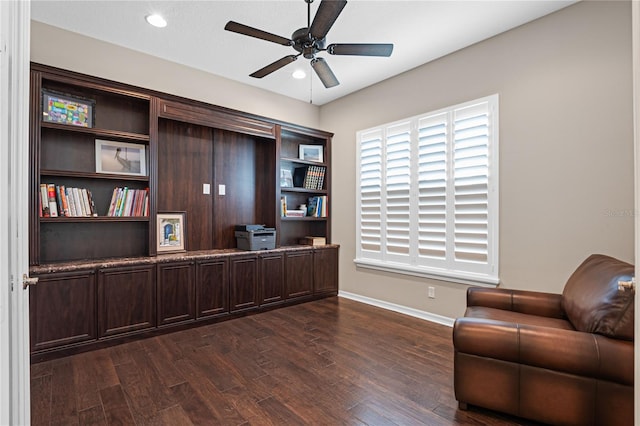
101,276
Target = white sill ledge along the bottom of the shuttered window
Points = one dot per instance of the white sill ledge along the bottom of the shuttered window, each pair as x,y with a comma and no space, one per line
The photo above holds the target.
466,278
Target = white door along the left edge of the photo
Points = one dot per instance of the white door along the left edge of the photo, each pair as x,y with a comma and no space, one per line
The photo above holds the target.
14,190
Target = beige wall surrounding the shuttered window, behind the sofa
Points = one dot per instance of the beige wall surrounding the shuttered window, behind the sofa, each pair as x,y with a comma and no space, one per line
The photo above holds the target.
566,148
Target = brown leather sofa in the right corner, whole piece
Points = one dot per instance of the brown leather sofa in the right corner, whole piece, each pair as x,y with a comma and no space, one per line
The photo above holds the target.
563,359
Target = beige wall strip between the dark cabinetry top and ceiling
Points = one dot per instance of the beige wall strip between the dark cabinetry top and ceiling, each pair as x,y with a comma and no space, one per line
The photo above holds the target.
64,49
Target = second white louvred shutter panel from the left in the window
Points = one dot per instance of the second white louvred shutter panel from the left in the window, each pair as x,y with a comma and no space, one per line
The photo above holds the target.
398,188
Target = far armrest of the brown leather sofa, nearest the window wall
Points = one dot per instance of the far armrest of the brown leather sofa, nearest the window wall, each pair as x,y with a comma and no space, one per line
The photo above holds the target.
526,302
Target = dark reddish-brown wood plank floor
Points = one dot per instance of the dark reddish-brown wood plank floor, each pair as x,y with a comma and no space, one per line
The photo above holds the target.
329,362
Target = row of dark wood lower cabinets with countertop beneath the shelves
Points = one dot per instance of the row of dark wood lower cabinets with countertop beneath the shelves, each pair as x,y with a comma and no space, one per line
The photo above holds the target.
80,307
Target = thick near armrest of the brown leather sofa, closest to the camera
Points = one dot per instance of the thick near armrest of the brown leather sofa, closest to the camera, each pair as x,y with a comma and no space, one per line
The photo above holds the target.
573,352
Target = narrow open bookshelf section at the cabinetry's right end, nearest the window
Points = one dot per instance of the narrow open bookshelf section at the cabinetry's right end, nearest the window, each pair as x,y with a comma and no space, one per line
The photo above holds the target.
293,140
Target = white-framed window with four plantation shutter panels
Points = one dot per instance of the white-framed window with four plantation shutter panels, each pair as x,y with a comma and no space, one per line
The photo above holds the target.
428,194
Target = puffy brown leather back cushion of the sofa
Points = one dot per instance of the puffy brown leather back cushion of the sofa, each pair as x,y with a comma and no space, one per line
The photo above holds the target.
592,301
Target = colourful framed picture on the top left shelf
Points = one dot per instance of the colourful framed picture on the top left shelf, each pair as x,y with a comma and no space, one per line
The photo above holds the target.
63,109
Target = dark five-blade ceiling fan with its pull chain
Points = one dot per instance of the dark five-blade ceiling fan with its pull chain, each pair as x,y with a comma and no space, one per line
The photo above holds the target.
311,40
